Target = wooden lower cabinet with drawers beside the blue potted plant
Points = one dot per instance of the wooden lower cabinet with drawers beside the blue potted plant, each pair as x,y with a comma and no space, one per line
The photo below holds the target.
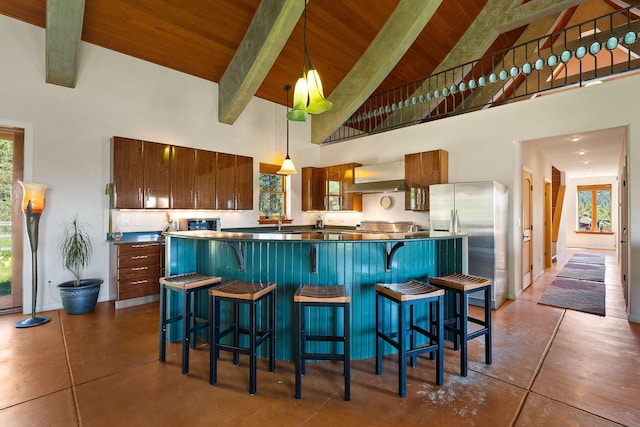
138,268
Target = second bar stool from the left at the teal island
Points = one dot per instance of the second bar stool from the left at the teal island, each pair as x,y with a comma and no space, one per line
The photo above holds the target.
238,292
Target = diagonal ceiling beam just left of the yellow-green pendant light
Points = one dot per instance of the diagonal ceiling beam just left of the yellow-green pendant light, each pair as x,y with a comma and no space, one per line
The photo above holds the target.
266,36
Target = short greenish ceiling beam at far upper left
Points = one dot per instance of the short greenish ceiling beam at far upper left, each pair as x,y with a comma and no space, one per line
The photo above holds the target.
63,34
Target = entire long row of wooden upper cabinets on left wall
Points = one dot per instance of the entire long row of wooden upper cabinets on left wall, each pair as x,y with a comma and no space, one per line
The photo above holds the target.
148,175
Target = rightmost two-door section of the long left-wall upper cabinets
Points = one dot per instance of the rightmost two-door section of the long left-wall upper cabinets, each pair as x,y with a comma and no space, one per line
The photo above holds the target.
234,182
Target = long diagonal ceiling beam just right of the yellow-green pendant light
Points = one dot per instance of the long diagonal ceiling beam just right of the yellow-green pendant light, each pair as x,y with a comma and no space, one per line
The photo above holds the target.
396,36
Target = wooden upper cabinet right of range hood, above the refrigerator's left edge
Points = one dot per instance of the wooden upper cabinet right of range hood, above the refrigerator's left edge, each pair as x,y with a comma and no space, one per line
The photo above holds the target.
421,170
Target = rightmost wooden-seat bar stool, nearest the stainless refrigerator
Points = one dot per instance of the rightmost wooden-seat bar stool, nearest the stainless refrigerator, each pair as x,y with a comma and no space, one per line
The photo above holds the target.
462,285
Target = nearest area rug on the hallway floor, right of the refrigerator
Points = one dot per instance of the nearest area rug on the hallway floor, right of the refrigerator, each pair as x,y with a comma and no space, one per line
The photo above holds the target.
580,295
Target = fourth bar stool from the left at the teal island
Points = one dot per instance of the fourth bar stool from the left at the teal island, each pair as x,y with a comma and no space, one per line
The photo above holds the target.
410,294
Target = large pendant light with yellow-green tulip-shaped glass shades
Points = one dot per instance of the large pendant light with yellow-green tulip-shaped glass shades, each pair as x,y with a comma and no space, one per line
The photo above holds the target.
308,95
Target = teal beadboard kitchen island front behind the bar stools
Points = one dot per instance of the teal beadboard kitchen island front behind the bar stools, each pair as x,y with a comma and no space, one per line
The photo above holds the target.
323,258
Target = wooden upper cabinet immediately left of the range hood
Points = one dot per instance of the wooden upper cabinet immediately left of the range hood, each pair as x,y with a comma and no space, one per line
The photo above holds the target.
326,188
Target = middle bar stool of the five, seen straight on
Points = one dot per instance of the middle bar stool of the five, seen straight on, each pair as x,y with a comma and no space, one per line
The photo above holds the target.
321,296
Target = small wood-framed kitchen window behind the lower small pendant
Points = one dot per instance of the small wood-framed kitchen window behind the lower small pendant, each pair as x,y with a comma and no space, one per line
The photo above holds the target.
273,192
